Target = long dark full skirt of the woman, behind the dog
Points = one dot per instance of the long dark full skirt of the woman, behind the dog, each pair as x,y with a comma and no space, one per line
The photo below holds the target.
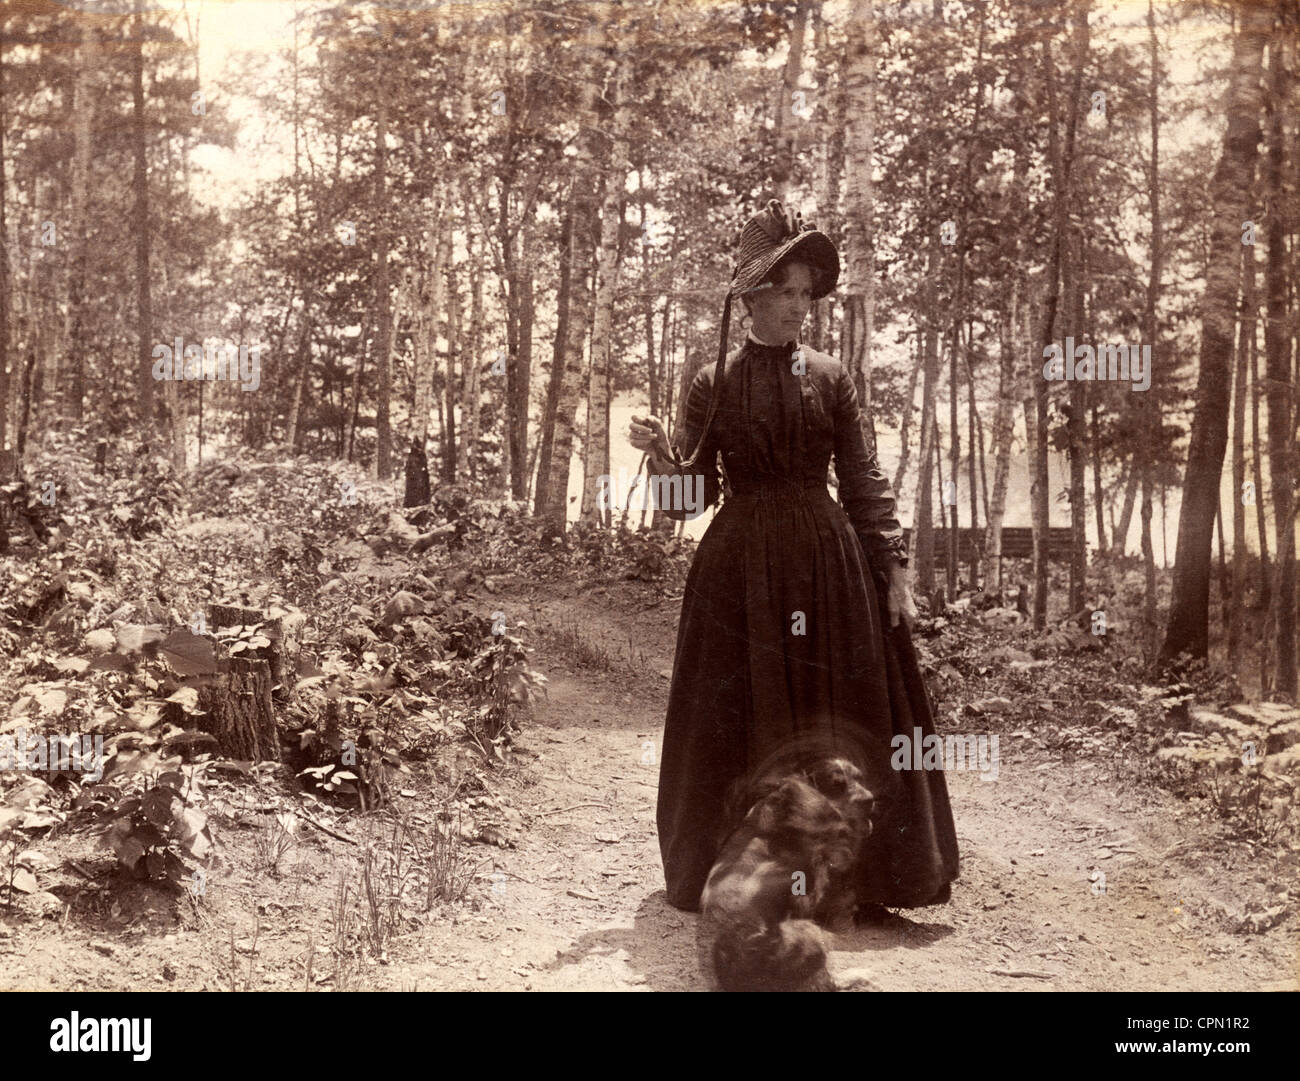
781,633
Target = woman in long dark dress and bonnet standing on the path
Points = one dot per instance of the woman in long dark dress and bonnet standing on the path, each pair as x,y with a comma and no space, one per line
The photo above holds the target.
785,615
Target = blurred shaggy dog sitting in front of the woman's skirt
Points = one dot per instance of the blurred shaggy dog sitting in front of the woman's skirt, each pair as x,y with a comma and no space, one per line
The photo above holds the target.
804,810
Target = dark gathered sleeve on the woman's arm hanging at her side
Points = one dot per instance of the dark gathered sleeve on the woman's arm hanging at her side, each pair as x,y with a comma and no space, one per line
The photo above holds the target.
865,492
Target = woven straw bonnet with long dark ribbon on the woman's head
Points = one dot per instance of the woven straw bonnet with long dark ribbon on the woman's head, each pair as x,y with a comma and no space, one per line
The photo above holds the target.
768,240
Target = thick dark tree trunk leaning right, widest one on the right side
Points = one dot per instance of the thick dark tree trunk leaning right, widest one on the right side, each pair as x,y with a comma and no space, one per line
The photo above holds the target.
1230,188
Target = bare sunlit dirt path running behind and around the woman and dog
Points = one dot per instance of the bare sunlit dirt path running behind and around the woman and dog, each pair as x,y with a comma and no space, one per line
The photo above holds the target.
583,905
